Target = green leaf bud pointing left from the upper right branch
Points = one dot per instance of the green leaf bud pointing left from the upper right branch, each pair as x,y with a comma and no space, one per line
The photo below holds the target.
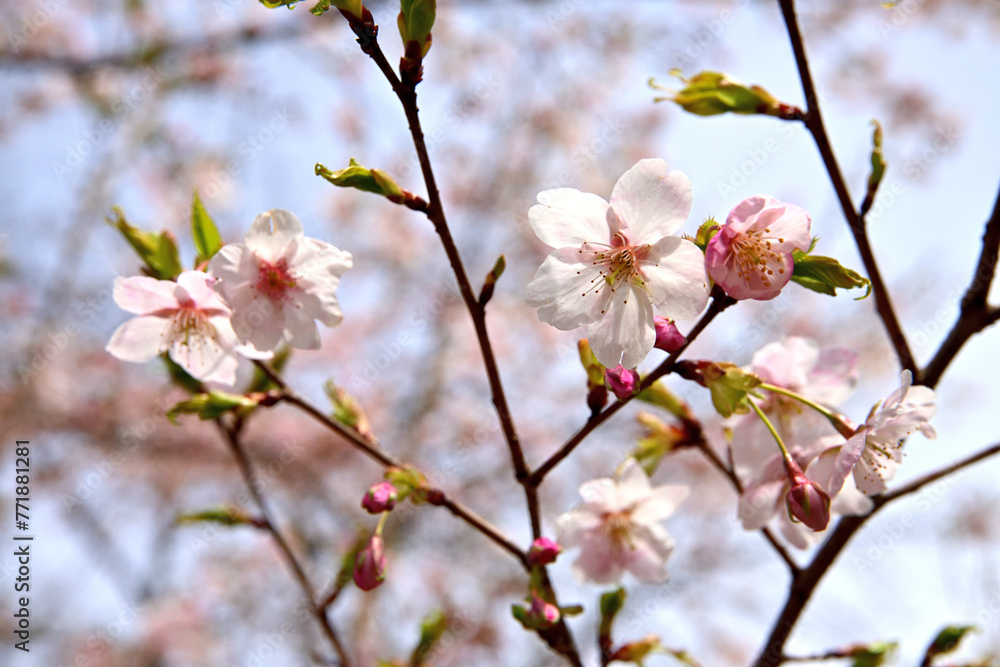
711,93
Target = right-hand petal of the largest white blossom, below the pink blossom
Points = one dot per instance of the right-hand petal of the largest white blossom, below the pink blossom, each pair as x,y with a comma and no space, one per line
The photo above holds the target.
675,278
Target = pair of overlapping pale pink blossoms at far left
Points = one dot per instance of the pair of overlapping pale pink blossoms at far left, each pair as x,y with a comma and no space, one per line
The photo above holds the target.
256,295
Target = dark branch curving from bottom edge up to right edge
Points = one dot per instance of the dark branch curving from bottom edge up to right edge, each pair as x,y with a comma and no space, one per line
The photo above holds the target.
804,583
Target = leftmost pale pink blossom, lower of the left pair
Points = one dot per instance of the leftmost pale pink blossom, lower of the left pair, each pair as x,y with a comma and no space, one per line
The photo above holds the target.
185,318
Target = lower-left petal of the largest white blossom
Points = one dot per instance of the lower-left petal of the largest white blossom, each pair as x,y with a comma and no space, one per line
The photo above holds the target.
568,293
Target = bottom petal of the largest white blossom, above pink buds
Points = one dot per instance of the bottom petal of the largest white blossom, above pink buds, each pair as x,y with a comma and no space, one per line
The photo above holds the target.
627,333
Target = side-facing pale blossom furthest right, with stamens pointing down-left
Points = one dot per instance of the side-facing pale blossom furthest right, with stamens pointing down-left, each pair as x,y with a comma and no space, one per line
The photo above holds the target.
876,449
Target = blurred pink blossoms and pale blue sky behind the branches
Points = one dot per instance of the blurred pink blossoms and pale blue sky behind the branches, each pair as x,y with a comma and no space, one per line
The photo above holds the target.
136,104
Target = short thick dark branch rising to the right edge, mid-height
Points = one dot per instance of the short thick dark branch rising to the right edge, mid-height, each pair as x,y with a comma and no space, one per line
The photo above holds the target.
975,314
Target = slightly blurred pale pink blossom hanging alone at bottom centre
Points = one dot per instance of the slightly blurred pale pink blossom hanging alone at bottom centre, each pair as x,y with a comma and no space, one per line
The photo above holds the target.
617,527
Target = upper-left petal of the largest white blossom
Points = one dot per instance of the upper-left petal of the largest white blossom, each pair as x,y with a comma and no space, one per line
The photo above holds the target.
569,218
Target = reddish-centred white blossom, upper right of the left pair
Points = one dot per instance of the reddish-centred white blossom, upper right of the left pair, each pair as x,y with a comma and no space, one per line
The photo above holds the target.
278,282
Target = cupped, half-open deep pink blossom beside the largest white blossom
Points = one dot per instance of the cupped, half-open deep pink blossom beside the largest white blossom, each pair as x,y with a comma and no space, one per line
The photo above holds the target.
751,255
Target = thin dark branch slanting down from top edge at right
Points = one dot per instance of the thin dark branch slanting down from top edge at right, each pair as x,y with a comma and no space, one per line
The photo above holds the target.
856,222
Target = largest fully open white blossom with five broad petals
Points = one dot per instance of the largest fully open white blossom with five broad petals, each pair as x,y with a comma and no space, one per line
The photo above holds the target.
614,262
